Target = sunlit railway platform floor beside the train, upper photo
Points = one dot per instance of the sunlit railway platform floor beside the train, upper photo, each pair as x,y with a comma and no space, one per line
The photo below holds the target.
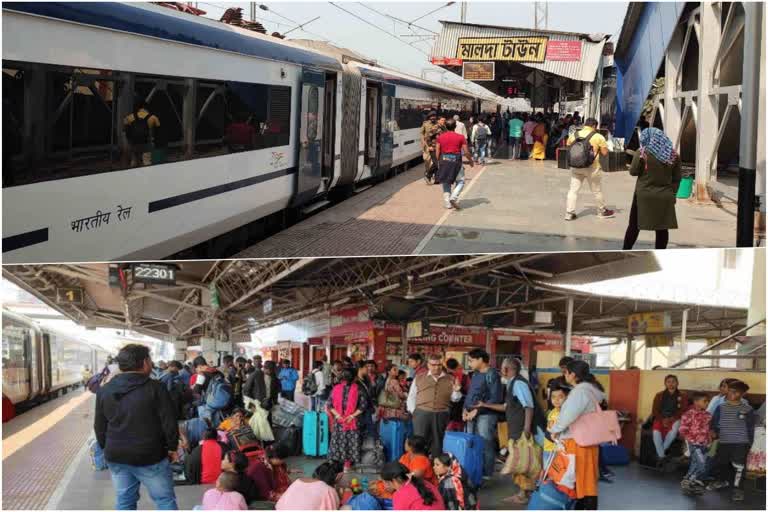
507,206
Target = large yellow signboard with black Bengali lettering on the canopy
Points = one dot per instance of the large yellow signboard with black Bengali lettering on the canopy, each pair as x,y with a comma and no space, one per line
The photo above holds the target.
515,49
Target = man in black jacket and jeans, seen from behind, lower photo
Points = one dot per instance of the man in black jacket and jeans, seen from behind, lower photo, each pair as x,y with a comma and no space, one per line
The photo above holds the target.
135,425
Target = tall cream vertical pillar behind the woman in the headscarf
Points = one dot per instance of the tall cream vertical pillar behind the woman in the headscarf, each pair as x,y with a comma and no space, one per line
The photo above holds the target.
707,121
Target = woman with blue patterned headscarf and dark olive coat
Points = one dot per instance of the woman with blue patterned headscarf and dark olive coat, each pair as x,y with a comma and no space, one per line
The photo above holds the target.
657,167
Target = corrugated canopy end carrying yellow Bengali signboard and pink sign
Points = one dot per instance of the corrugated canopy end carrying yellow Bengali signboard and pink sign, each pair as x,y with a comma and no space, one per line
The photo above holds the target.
565,58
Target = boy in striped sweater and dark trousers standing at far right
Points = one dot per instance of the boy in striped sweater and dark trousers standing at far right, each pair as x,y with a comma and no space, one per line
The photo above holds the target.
733,423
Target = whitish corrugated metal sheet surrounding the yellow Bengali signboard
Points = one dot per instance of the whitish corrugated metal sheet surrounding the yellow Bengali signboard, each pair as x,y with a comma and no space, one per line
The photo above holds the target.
584,70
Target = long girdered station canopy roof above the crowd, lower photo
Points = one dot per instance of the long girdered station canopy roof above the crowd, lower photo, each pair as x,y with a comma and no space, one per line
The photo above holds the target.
492,290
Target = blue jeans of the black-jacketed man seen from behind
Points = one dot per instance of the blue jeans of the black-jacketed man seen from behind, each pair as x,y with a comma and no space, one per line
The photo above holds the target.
157,478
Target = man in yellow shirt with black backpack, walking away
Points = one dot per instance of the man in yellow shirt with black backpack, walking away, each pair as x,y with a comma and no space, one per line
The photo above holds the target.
584,149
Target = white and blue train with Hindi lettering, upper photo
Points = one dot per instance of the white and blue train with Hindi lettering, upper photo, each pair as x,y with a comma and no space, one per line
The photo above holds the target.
323,126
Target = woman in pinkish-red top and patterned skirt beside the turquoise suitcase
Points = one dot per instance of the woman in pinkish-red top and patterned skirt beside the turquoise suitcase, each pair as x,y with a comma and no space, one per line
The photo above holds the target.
346,404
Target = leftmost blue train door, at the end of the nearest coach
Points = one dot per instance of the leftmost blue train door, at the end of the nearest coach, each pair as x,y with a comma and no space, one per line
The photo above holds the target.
309,175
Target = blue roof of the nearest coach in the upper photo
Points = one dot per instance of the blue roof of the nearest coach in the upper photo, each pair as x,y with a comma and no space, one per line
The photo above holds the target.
162,23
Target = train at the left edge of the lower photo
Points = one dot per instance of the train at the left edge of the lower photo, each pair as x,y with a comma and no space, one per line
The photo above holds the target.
41,363
